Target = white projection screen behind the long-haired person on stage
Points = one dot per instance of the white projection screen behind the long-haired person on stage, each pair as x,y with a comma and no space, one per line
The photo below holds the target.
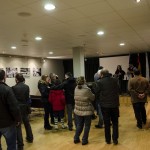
111,63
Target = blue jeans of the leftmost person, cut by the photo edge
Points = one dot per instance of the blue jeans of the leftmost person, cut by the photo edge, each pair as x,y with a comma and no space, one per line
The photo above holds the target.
9,134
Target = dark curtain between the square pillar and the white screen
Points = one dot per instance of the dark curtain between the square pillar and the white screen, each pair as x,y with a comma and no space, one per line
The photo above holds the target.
91,67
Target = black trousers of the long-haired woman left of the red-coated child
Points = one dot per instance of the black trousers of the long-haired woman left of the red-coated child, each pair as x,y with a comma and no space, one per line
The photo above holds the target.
48,112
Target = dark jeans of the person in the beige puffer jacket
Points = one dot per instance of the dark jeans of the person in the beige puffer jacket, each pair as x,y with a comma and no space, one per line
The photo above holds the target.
83,122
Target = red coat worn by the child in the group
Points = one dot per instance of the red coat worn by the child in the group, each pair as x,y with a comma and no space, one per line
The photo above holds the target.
57,99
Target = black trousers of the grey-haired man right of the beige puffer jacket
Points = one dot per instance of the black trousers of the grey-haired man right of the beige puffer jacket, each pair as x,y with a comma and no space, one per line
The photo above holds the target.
111,115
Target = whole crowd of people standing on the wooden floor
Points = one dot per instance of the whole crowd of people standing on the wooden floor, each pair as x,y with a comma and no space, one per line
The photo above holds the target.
74,97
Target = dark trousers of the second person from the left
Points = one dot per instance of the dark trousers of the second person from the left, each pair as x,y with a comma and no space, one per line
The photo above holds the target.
25,120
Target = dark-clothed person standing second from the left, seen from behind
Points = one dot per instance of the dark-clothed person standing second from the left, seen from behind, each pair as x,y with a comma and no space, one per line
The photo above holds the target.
22,93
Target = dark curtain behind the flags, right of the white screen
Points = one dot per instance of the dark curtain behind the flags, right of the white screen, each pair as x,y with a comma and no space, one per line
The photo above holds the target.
133,59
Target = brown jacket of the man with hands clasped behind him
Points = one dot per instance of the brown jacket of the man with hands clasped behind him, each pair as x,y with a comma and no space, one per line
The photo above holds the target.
138,85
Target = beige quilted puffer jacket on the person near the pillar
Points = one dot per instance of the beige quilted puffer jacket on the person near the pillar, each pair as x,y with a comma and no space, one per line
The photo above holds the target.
83,98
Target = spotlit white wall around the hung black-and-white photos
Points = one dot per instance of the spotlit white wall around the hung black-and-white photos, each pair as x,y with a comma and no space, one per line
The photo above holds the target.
47,67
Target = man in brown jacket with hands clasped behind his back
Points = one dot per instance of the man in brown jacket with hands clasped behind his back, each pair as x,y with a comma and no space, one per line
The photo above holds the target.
138,87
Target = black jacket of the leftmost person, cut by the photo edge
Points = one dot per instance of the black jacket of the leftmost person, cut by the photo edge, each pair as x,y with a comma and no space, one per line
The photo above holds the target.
9,109
